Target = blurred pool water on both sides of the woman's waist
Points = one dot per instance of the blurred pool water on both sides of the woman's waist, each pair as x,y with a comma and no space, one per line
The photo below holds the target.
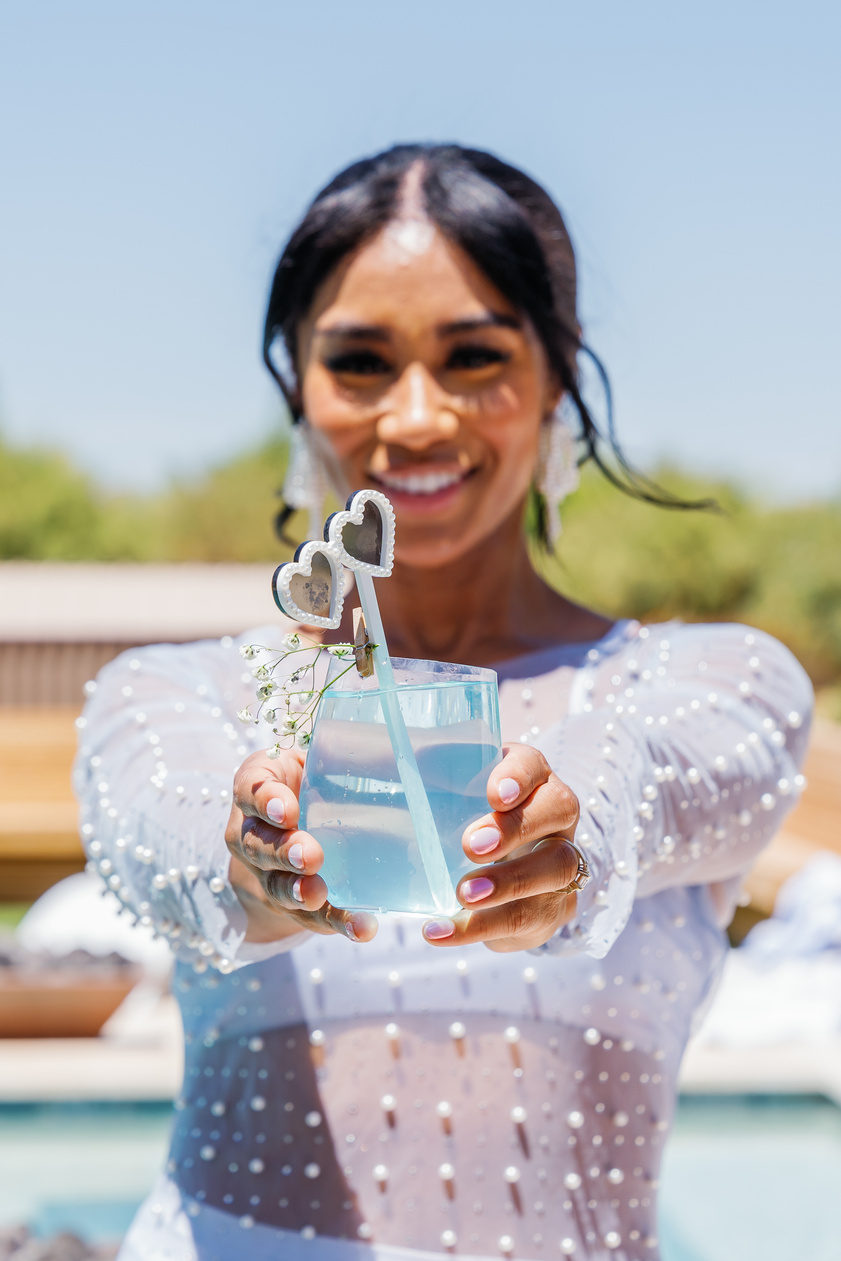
745,1178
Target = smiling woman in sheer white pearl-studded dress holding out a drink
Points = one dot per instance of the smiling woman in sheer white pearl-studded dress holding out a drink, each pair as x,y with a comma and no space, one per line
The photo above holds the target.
504,1083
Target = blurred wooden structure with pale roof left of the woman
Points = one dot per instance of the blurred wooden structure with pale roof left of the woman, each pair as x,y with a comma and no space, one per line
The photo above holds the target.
60,624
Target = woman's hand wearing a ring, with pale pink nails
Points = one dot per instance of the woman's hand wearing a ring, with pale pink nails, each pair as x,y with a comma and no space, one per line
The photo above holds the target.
519,902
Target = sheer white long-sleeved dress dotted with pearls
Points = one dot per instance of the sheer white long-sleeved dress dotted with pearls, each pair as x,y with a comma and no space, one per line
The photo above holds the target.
397,1099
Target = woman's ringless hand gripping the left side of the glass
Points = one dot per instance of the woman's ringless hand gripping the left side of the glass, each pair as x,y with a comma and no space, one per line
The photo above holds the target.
273,864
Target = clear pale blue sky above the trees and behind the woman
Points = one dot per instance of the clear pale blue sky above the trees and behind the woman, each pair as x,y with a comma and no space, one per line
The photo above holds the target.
154,156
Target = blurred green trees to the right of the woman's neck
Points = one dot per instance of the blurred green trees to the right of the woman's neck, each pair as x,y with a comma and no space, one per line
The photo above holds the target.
779,569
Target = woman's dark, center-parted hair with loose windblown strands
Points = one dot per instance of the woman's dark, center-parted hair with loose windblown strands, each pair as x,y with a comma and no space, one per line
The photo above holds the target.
511,229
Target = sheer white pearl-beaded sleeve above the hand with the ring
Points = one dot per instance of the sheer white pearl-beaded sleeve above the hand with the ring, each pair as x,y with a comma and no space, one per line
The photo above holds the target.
685,753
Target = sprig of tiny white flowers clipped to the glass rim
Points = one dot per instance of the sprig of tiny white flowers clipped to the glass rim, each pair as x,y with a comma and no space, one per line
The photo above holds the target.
291,707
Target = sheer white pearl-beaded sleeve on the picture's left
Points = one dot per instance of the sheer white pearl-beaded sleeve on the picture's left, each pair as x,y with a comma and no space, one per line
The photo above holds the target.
159,745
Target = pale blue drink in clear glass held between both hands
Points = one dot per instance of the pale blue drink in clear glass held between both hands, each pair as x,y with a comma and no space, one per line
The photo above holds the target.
352,799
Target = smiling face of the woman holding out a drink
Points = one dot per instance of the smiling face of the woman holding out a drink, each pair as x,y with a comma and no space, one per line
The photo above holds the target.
429,386
